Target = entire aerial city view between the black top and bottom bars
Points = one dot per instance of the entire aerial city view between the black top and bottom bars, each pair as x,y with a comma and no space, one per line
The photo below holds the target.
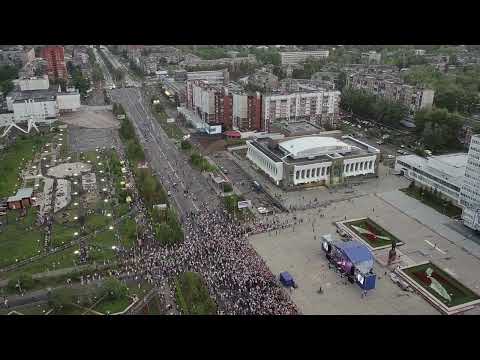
239,179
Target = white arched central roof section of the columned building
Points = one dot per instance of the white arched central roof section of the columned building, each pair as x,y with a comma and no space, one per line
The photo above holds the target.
311,146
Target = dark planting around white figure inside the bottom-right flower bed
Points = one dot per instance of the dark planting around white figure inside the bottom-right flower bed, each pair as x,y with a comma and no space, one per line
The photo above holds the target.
459,294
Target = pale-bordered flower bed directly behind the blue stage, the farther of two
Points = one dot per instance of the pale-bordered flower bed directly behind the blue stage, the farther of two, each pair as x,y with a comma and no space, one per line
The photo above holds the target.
368,232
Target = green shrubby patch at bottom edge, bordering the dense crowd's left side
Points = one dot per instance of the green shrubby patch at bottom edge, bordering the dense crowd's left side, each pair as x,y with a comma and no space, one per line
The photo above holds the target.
192,295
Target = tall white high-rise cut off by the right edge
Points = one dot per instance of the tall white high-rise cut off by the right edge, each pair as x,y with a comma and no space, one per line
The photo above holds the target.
470,191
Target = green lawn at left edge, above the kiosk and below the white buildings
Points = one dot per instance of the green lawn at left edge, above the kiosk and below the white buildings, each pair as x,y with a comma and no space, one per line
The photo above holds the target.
25,147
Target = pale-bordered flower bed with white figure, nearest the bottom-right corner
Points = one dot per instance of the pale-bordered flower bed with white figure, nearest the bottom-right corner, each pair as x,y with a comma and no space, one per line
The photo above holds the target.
439,288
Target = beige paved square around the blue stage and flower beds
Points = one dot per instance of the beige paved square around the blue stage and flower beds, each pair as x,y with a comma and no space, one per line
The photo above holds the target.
298,250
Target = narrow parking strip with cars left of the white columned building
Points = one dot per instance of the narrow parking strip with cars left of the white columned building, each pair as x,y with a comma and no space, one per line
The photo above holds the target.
243,182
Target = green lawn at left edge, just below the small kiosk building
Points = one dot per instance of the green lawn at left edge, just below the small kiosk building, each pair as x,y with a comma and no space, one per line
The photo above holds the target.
17,239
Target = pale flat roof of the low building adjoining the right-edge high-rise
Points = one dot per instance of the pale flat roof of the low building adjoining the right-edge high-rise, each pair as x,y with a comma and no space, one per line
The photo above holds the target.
450,168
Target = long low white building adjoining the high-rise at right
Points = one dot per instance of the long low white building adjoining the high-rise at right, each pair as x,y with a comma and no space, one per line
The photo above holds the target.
443,173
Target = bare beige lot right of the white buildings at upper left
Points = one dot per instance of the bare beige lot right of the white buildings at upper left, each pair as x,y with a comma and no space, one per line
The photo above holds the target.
93,119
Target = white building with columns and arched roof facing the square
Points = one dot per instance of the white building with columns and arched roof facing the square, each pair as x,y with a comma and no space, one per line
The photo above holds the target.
313,159
